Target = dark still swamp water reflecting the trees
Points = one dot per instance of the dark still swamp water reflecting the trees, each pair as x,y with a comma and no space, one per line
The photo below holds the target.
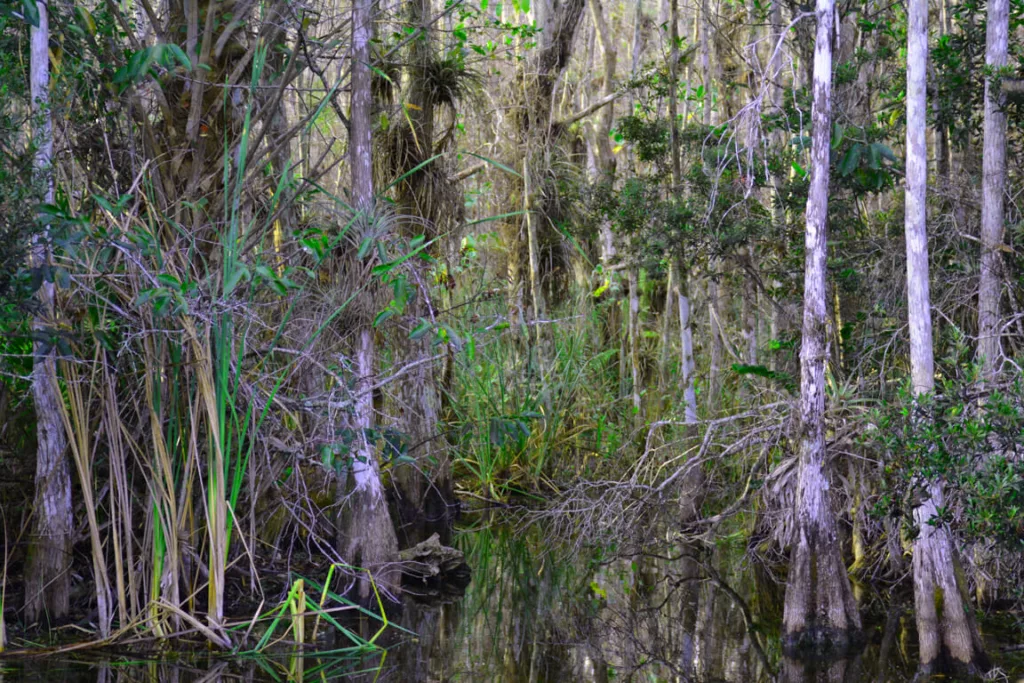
531,615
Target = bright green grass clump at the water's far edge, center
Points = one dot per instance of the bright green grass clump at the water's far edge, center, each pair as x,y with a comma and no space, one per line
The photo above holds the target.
519,424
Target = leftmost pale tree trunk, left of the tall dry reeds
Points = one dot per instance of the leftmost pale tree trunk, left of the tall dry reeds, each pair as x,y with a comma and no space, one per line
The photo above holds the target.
47,585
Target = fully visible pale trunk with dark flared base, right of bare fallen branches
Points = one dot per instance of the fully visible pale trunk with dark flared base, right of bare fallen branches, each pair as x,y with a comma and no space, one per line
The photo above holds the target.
820,609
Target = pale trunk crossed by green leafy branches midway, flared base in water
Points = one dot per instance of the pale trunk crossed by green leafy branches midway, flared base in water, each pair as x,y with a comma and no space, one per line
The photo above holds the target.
947,630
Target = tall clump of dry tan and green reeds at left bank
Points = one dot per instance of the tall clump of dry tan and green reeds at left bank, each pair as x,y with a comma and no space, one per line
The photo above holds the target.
198,378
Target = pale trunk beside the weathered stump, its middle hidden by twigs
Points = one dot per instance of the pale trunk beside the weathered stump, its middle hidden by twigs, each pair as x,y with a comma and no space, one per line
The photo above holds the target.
367,538
